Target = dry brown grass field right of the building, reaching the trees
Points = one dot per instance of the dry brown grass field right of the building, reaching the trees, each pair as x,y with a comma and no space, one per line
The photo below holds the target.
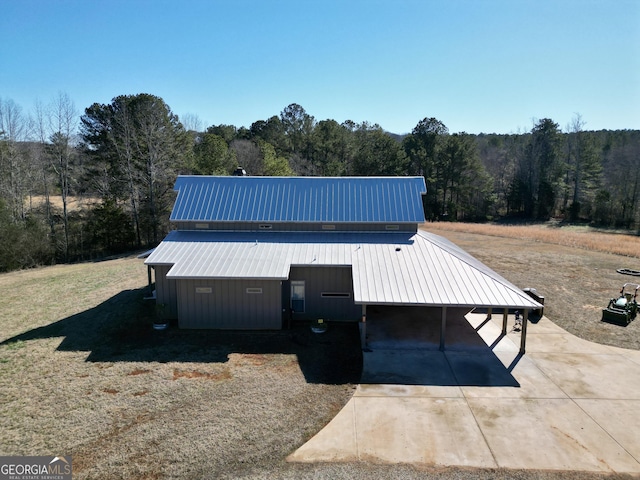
576,283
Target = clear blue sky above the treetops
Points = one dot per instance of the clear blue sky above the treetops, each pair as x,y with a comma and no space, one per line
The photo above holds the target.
478,66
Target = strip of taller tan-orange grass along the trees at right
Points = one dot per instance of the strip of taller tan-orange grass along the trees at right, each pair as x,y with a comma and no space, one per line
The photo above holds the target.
570,236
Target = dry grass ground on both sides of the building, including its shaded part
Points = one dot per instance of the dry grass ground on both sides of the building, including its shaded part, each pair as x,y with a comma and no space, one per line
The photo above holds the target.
82,373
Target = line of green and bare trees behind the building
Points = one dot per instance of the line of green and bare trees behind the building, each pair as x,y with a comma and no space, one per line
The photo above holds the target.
123,157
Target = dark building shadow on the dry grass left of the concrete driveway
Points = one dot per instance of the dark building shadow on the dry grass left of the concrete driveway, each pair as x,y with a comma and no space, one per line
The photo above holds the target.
121,330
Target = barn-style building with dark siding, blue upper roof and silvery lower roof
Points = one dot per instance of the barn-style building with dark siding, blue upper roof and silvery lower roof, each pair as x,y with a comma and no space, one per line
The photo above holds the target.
256,252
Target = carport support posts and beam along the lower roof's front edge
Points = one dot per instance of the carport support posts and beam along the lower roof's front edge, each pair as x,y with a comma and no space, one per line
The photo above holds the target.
525,309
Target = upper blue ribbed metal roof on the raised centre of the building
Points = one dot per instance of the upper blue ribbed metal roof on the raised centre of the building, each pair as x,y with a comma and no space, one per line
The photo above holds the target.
299,199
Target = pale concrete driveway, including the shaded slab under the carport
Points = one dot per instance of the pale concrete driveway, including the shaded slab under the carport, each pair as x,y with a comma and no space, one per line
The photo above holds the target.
567,404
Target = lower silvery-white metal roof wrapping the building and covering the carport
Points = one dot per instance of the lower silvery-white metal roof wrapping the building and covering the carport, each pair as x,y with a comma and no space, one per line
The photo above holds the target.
388,268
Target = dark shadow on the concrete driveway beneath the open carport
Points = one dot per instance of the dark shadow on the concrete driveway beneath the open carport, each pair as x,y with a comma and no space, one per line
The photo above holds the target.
403,348
